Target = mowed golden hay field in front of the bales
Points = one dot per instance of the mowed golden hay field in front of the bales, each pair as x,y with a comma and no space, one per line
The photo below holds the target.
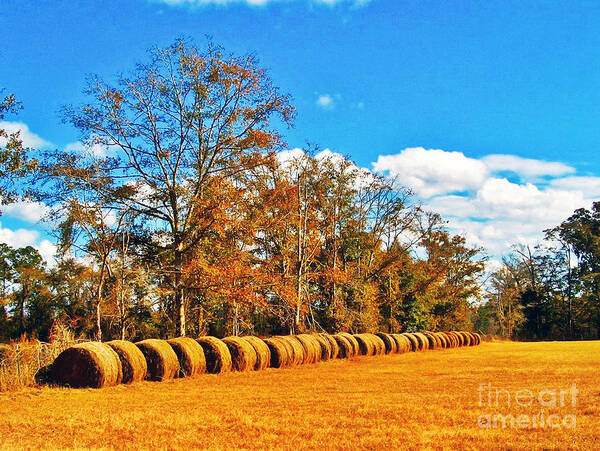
414,400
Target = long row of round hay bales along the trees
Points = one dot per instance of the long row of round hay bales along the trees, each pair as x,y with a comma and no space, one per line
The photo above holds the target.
96,364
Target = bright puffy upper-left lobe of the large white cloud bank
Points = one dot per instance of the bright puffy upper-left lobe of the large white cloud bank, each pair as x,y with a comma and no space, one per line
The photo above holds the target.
430,172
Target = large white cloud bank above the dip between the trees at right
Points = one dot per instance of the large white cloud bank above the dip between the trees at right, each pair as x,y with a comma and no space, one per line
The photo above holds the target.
490,210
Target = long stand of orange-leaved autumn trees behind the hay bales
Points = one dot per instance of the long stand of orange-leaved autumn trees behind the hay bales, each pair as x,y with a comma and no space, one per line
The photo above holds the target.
182,213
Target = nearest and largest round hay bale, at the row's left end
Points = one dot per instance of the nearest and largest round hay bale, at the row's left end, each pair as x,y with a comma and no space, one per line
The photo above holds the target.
92,364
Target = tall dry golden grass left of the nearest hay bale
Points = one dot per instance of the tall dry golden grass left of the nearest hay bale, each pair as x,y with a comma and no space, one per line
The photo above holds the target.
21,360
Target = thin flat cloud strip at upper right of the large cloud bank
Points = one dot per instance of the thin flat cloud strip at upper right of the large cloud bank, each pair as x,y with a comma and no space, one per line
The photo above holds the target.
526,167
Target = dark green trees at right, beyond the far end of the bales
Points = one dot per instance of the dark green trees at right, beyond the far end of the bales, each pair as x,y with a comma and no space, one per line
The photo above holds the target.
549,291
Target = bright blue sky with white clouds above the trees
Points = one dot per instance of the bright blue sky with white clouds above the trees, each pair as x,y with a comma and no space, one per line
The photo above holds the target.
425,90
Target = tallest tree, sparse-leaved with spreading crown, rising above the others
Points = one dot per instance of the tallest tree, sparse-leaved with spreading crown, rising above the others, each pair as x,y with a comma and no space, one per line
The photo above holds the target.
178,120
